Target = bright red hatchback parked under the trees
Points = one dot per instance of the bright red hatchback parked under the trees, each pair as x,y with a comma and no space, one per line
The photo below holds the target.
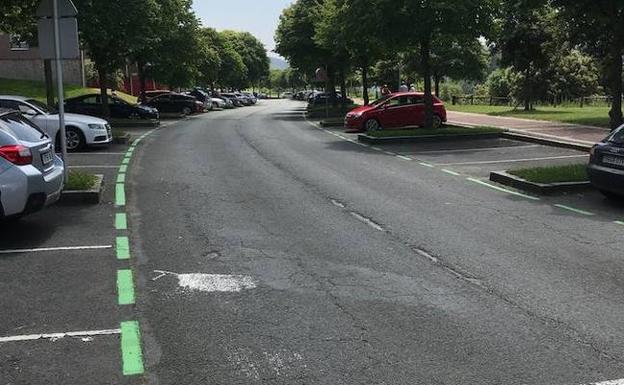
397,110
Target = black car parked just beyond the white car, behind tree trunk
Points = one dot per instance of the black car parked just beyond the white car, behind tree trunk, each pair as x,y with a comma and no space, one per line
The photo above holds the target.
91,104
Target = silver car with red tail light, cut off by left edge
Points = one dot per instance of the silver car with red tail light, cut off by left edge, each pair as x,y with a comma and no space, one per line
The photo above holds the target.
31,174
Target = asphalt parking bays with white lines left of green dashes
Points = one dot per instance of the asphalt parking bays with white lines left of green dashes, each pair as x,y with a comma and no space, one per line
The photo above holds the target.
58,270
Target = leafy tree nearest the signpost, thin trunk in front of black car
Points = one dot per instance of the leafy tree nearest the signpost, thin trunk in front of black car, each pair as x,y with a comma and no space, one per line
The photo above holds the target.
105,30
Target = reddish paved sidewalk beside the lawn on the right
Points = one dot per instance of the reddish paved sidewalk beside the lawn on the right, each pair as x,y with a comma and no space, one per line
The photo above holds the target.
552,133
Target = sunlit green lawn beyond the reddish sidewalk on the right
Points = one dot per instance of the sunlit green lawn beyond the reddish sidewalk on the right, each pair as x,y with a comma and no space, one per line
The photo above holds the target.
591,116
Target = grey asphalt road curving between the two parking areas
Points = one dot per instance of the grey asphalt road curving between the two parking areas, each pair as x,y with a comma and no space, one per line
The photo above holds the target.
268,251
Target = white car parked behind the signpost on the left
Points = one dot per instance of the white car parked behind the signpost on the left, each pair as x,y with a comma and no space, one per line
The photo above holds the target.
81,130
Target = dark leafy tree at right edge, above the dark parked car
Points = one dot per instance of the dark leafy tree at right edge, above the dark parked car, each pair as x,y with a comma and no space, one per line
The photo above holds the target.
598,27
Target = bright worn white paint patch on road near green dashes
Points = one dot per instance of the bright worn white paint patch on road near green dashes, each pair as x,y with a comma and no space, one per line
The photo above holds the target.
209,283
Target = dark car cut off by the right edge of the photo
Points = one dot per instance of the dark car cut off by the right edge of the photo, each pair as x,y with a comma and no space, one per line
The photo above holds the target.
606,165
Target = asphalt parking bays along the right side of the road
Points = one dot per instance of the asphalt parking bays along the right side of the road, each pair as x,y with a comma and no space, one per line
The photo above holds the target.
475,159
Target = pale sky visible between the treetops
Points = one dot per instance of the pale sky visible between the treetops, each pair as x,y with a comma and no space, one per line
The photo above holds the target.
260,17
